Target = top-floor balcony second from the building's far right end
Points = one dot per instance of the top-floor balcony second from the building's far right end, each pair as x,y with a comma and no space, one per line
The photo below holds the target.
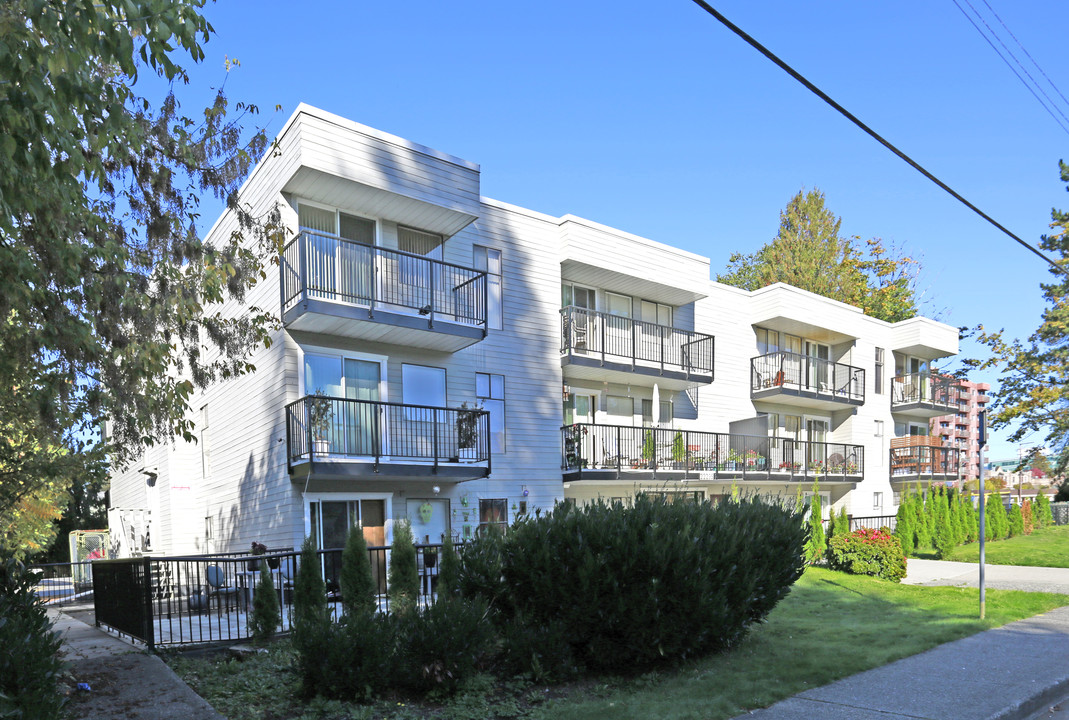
800,380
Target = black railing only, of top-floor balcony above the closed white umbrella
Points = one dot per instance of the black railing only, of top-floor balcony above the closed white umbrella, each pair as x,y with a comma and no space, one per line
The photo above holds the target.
614,337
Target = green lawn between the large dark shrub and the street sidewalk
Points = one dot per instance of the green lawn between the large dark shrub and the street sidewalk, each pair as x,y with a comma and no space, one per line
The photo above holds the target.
832,625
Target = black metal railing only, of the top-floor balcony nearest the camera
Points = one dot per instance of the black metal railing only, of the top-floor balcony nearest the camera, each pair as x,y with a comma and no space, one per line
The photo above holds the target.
320,267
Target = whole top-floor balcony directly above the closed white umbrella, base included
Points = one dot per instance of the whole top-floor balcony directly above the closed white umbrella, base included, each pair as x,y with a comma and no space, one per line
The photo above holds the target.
606,348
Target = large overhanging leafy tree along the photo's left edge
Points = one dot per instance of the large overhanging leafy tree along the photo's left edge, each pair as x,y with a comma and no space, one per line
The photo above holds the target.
110,310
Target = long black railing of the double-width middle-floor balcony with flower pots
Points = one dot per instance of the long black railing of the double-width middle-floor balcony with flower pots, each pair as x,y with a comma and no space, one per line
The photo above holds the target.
588,447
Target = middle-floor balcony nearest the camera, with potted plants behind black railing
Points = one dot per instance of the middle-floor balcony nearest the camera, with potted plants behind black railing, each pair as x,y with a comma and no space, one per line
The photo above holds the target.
335,437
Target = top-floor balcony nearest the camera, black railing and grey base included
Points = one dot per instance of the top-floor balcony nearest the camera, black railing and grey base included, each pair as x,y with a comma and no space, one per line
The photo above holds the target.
338,287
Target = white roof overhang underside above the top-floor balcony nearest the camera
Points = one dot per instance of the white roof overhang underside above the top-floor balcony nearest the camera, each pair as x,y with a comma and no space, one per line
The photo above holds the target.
363,199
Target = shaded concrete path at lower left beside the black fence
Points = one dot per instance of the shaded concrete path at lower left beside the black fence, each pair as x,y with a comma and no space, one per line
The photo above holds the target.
125,681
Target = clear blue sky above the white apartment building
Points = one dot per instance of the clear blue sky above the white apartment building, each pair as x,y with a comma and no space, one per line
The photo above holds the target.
653,118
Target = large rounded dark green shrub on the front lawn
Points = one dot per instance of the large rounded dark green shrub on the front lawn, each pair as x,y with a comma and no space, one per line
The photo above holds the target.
632,587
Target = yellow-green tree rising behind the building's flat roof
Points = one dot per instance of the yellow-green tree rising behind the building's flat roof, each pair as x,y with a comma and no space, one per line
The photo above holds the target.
810,254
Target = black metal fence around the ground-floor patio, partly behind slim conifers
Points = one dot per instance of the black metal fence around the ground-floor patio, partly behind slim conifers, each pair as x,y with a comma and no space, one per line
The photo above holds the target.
204,600
